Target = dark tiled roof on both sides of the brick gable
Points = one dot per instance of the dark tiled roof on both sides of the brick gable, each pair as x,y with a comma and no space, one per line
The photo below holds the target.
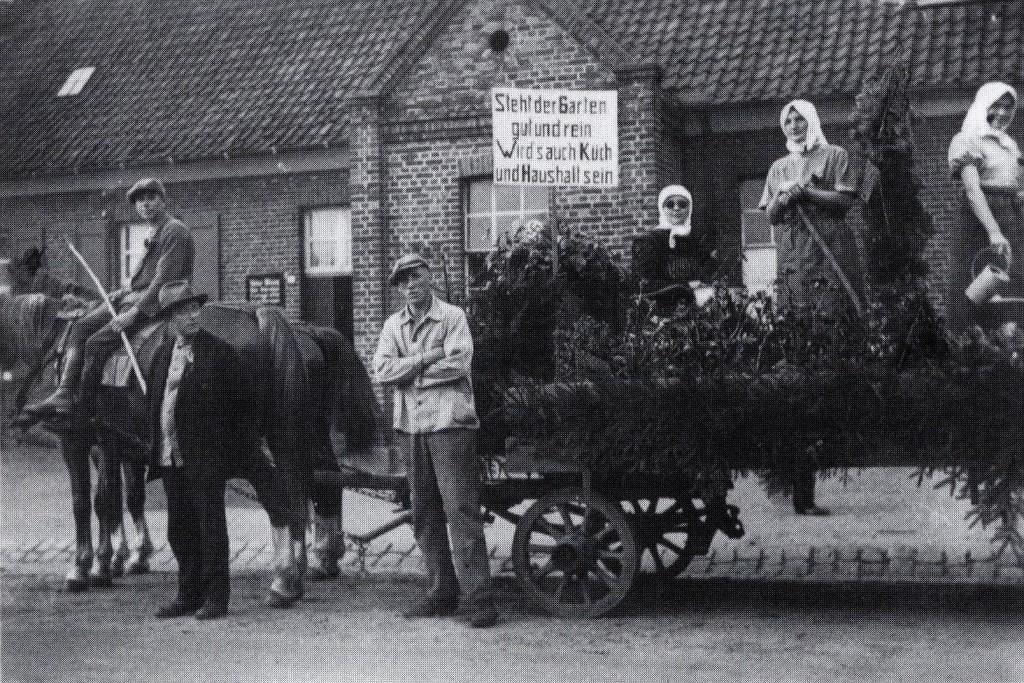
195,79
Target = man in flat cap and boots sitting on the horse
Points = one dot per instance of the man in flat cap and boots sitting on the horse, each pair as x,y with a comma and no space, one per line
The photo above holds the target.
169,254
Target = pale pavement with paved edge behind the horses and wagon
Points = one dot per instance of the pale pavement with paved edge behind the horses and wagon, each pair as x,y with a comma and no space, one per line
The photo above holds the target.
884,529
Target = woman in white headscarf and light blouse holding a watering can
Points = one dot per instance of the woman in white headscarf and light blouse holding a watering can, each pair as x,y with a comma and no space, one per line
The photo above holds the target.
989,164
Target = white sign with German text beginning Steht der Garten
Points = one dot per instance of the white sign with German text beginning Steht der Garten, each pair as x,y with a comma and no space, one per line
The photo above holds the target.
556,138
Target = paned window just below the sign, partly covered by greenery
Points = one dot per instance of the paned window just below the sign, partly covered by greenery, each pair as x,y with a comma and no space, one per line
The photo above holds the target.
494,214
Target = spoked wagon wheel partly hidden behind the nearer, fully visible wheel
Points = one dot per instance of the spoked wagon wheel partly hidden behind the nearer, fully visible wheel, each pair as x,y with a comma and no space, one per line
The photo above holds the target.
671,532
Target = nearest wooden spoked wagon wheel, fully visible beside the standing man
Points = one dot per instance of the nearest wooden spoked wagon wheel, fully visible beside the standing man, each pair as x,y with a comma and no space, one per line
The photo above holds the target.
575,553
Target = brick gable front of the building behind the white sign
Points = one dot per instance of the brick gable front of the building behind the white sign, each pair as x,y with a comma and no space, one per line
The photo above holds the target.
439,122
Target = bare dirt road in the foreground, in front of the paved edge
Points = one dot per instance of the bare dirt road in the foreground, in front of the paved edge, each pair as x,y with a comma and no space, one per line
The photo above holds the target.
350,631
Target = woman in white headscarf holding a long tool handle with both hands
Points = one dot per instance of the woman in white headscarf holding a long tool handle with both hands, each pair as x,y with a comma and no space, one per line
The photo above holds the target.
819,179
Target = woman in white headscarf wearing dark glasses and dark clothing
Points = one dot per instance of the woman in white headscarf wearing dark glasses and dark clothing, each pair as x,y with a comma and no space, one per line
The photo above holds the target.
673,255
